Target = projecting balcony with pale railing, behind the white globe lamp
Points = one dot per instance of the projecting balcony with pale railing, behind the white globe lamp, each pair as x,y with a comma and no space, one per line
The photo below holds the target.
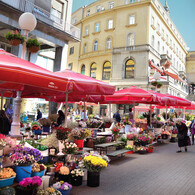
43,17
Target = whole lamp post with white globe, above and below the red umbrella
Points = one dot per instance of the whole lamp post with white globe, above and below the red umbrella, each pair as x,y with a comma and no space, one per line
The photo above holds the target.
27,22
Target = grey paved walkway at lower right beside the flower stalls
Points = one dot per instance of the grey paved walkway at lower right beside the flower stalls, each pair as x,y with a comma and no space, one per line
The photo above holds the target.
163,172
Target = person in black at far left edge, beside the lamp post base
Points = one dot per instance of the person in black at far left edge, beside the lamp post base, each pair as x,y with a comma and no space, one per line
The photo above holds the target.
5,124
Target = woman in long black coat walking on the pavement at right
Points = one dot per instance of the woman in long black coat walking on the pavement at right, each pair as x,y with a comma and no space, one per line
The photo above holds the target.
182,135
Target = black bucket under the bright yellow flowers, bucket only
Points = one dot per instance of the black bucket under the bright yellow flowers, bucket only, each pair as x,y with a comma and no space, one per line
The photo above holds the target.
93,179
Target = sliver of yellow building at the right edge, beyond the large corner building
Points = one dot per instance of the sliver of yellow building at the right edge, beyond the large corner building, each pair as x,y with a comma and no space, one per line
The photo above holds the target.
190,70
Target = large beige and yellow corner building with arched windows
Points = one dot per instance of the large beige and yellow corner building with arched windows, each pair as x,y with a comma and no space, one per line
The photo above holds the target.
124,42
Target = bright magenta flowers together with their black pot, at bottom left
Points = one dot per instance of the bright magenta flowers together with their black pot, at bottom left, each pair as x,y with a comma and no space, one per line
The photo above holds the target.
29,185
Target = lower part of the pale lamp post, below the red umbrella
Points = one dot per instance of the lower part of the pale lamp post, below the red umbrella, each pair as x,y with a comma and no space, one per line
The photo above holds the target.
15,127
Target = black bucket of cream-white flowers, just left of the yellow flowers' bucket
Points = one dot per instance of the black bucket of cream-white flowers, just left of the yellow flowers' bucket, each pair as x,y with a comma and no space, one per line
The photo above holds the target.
77,177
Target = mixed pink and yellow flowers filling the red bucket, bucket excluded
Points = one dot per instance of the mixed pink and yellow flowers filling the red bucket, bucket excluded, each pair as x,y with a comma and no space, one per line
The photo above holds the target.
79,133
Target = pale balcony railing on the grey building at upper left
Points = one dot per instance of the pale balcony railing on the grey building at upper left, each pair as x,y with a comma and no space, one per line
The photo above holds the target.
44,16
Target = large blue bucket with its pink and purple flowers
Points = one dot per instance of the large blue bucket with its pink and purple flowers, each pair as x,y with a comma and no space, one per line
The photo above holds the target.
23,158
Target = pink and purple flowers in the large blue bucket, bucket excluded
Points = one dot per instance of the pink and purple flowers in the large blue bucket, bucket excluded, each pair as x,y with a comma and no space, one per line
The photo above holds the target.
24,155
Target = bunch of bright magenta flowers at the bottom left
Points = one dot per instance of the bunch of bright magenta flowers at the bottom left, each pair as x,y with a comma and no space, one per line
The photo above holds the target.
28,184
